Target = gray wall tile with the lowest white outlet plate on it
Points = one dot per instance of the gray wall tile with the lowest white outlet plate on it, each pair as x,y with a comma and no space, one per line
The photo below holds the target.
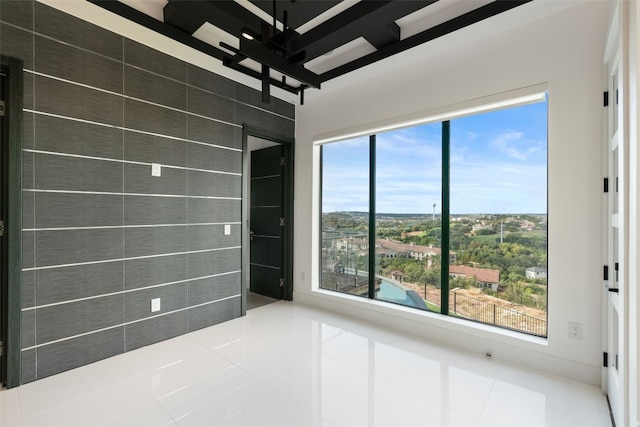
138,303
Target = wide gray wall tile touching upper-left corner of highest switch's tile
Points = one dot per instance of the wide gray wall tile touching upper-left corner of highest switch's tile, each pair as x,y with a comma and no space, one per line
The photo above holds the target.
73,137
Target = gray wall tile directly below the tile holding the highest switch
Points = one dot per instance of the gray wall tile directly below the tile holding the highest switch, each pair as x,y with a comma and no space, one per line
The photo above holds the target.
147,210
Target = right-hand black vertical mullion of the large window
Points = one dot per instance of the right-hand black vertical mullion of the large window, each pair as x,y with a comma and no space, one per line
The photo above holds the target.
444,228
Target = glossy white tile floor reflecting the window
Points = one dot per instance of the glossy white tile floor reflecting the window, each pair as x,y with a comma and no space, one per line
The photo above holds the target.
291,365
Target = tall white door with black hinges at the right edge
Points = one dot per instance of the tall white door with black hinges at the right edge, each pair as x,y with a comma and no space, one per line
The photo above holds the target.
616,286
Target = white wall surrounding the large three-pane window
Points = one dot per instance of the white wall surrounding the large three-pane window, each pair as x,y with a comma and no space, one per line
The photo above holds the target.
560,44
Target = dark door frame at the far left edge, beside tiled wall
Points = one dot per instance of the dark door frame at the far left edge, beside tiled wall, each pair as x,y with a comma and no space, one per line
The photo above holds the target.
12,212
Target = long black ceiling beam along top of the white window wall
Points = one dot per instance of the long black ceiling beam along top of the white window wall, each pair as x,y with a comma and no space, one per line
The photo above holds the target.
440,30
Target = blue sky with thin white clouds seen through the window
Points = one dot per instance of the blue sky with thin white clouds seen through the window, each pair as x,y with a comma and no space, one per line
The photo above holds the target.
498,165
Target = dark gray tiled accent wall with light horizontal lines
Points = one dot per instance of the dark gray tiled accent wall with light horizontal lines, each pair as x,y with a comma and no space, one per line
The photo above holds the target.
101,236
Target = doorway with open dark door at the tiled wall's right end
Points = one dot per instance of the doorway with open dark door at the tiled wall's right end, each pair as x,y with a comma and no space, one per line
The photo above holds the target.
267,264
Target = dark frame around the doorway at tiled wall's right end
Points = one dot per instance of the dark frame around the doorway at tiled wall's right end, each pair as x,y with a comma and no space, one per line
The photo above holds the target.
287,232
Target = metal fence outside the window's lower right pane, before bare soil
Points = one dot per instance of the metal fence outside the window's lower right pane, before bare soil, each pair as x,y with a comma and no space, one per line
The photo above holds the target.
492,314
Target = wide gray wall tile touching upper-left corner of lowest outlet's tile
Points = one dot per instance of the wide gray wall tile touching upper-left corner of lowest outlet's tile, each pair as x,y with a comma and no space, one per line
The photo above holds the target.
68,283
